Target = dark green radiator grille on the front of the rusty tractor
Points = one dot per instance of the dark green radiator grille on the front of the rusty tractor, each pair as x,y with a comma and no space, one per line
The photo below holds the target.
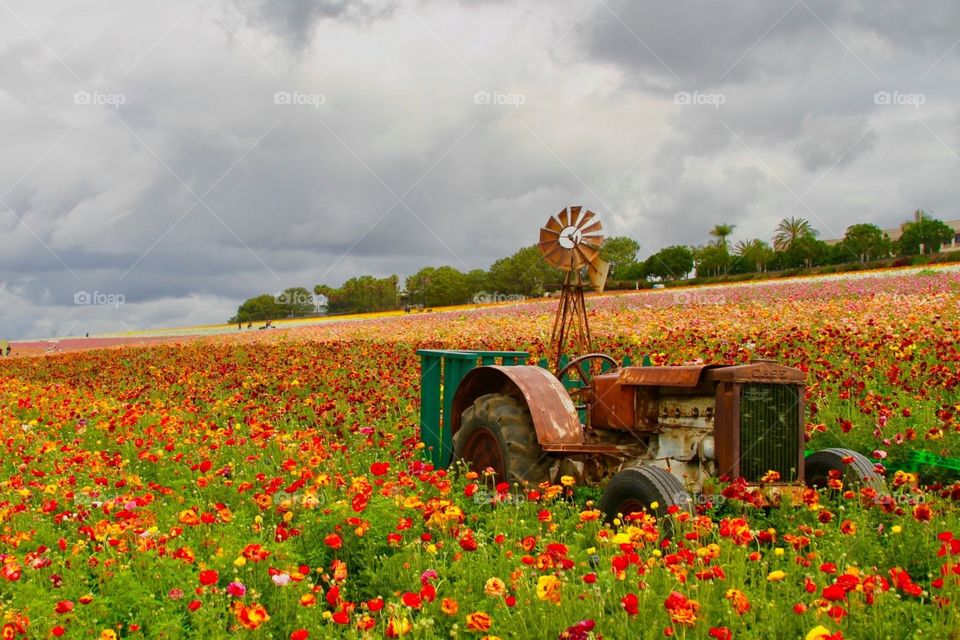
769,431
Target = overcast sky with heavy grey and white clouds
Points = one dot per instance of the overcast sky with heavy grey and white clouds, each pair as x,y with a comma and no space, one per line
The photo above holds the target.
180,156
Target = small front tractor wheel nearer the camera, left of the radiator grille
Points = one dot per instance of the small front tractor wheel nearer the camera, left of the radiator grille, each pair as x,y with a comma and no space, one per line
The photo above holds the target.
637,489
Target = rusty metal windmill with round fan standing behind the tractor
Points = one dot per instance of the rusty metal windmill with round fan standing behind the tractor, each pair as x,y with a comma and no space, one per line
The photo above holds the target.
571,241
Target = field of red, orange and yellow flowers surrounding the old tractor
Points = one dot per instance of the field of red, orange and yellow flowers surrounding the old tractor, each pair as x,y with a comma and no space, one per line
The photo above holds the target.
270,484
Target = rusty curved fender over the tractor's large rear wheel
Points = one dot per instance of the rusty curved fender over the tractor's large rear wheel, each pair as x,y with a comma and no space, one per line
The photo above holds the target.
554,416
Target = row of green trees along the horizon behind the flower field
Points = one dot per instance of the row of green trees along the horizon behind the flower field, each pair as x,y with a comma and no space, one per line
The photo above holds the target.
794,245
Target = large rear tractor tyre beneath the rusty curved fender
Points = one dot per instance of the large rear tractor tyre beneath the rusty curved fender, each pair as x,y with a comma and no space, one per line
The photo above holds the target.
497,432
